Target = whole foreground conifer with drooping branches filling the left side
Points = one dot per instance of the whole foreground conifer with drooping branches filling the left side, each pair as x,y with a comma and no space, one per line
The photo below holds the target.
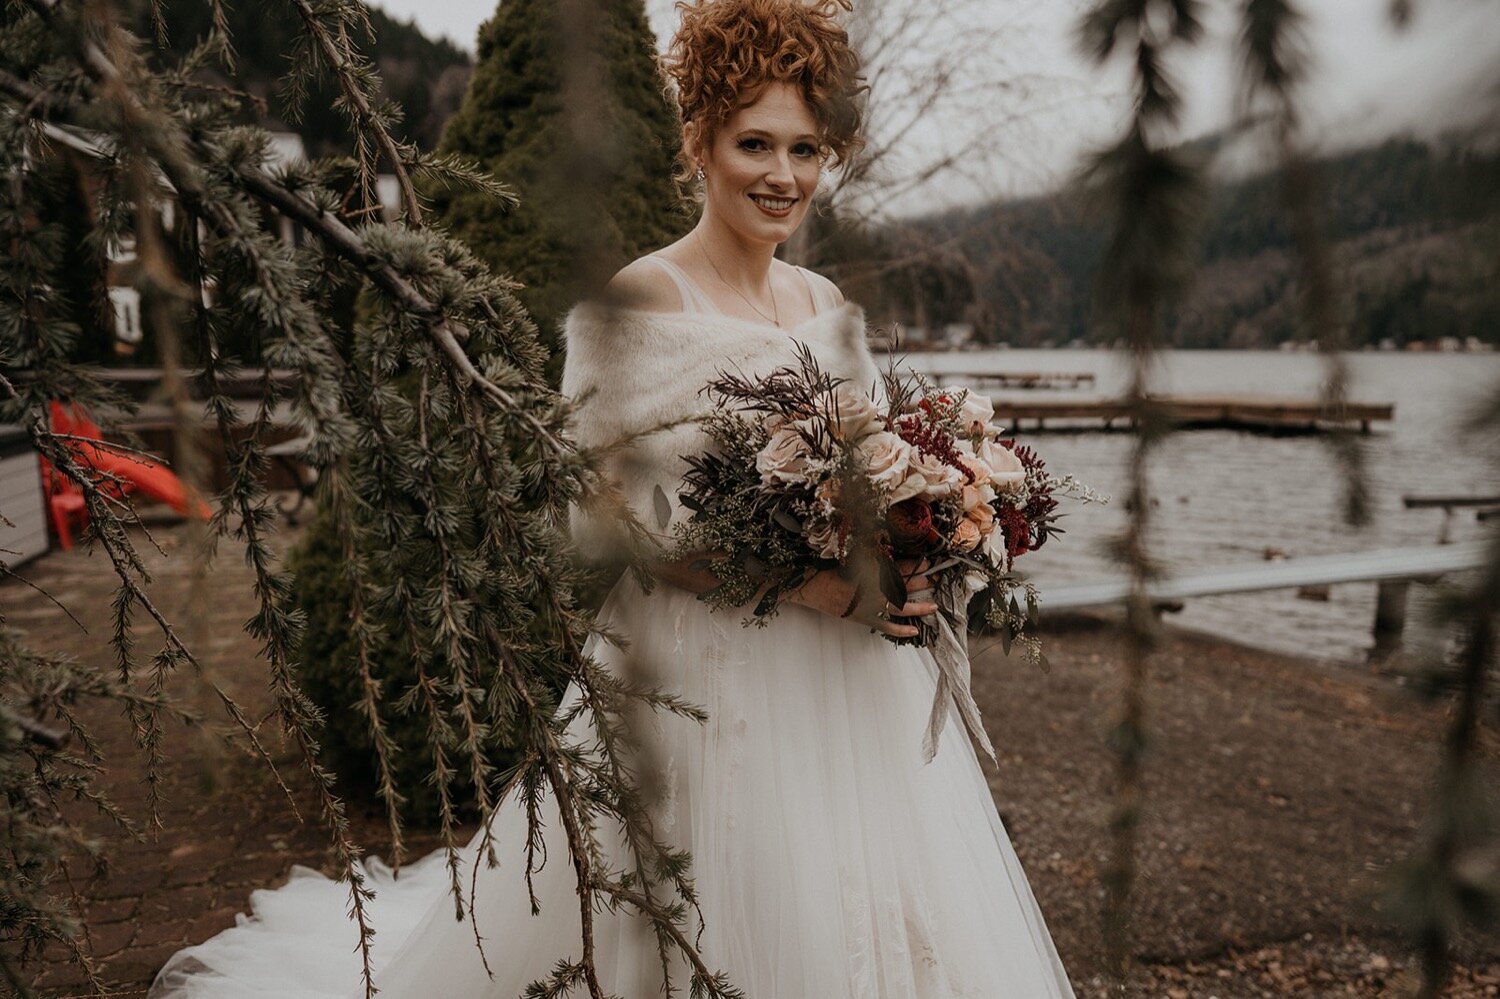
448,502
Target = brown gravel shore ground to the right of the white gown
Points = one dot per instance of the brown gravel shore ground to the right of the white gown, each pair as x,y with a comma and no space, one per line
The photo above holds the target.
1277,794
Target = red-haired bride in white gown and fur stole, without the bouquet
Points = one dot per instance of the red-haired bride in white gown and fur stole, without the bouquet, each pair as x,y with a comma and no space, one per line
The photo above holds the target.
830,860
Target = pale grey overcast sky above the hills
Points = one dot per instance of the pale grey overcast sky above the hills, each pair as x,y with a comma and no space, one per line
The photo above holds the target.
1370,80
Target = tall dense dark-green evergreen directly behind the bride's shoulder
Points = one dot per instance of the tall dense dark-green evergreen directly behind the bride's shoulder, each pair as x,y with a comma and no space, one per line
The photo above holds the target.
514,121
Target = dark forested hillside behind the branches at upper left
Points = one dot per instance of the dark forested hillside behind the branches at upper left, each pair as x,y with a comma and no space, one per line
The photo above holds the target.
422,76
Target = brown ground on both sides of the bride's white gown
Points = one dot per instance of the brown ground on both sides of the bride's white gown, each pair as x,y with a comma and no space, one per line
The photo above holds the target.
1277,794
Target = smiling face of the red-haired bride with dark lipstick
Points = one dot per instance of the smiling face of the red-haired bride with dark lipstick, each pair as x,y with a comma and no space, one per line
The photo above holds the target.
763,169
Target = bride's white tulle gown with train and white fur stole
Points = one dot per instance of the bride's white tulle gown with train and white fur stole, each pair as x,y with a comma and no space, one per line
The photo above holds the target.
830,860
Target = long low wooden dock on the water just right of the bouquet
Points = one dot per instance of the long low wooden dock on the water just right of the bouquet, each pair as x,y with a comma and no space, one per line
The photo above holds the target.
1244,413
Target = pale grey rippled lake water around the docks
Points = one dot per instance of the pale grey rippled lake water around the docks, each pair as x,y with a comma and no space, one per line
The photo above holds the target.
1225,497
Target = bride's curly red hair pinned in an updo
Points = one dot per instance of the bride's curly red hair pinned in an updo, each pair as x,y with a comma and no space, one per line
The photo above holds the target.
727,52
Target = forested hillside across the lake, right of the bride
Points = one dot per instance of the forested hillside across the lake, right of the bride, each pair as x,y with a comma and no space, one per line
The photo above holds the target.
1414,235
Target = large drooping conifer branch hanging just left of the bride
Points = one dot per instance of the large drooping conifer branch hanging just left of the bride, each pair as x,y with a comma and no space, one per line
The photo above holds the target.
458,332
